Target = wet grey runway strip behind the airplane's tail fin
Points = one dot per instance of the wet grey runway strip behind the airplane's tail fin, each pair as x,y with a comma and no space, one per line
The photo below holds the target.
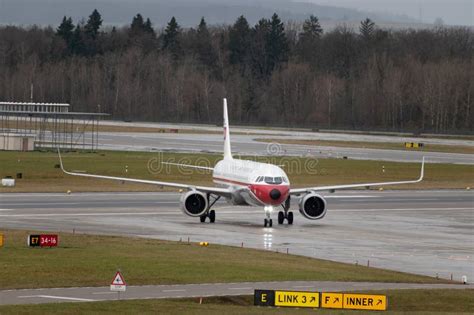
246,145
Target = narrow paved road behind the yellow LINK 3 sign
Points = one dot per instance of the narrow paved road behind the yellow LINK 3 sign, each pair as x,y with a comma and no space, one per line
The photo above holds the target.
91,294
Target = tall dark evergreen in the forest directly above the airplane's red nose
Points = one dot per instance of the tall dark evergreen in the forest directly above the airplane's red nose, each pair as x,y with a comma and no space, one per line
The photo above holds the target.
277,43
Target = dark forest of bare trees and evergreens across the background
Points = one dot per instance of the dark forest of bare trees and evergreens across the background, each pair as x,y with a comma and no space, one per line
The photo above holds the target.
273,73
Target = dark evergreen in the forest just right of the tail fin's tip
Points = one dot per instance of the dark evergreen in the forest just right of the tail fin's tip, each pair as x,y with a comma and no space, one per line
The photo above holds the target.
239,41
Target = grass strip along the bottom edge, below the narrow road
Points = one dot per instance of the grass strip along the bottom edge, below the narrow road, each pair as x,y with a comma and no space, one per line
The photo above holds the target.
400,302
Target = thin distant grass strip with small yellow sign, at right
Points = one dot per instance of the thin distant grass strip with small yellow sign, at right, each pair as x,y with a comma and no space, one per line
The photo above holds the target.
375,145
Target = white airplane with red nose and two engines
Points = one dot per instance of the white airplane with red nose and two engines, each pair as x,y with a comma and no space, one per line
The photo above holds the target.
249,183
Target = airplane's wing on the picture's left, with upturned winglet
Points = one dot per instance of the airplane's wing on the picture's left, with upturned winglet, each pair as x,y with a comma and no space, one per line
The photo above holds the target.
214,190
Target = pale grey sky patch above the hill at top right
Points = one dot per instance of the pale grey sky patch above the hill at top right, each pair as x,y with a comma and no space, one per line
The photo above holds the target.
455,12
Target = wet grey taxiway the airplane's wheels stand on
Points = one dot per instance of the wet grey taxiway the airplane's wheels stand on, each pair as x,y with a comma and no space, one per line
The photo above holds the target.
423,232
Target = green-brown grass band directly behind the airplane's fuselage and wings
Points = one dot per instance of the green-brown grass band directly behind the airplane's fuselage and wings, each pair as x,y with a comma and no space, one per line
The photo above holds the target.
40,174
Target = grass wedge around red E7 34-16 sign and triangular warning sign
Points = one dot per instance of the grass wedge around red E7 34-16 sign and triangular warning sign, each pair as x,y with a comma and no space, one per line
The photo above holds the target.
88,260
